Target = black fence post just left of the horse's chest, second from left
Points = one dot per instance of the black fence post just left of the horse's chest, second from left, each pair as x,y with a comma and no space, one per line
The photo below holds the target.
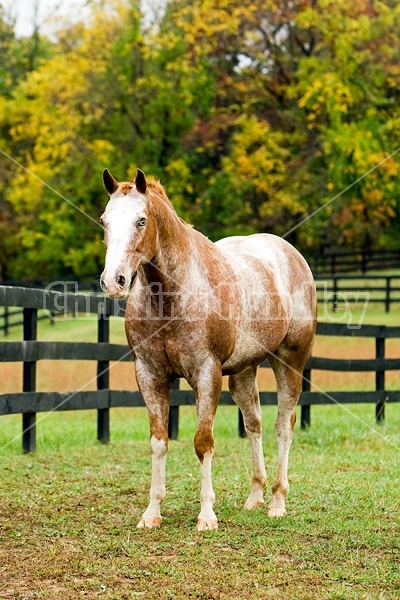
103,376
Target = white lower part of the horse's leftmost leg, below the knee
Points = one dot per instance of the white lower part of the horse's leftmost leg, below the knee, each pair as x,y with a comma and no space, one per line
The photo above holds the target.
152,516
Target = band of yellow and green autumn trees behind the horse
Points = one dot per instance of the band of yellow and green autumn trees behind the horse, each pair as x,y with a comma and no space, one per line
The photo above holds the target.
251,113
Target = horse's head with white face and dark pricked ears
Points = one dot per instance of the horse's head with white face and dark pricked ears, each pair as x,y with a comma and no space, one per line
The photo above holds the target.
129,233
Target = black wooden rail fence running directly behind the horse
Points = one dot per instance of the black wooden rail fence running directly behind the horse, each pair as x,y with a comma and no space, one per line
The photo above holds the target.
29,351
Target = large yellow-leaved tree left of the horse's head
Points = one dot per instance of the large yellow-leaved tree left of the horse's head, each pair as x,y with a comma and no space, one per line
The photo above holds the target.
65,122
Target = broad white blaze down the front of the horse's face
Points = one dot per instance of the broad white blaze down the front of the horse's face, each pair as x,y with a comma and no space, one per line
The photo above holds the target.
120,222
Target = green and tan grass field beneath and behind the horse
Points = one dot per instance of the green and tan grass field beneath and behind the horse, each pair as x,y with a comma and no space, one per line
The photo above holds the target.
68,513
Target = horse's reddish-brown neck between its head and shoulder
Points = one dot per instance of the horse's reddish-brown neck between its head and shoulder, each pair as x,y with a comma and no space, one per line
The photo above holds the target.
175,246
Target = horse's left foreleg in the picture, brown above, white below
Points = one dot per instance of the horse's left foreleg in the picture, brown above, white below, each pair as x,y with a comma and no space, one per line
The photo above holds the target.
156,398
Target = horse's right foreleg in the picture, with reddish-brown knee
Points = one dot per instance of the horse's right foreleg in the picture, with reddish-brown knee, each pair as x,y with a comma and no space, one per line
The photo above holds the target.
207,388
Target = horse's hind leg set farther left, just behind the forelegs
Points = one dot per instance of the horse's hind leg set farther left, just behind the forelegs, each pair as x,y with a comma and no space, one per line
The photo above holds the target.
243,388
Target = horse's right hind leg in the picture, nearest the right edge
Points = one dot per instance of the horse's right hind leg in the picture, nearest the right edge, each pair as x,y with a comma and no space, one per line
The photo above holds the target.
288,372
